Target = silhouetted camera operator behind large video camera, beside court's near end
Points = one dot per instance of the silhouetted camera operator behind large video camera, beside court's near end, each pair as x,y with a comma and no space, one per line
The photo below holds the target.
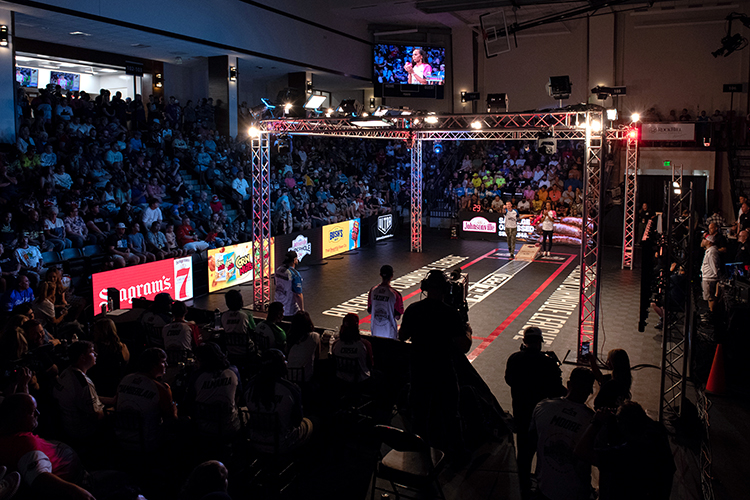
438,336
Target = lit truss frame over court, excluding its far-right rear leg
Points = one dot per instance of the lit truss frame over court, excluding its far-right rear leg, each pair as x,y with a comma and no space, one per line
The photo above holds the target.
588,124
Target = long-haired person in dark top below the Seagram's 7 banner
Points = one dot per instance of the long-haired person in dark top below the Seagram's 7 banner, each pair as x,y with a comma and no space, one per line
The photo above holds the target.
112,357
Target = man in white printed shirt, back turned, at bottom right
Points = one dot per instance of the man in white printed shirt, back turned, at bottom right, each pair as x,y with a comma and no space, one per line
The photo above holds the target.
557,426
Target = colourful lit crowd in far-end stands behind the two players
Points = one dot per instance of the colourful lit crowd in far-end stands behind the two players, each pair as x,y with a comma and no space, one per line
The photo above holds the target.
493,173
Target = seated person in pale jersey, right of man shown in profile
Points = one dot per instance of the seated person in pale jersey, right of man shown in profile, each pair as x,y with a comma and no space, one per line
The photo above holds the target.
144,393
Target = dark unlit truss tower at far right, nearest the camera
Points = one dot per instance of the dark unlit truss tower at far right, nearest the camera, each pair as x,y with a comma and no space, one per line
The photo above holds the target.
677,244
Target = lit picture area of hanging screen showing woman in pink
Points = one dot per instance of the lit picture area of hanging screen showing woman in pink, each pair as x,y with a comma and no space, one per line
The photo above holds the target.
409,64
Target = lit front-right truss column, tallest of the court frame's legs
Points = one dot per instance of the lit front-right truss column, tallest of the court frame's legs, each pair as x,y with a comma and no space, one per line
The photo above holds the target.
593,194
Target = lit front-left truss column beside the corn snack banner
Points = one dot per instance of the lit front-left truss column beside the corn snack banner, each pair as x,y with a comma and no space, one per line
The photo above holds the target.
261,177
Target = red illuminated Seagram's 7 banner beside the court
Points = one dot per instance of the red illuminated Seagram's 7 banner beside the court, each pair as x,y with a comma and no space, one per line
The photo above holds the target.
173,276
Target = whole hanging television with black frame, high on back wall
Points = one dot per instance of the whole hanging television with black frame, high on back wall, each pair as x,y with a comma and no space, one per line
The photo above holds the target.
408,70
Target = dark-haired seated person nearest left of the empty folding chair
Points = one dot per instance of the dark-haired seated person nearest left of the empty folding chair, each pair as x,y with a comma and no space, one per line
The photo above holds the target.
270,393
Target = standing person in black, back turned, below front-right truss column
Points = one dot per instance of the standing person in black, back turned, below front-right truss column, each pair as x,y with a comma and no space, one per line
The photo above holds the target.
532,376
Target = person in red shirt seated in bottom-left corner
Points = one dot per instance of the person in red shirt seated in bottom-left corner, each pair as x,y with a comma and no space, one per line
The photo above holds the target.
50,469
